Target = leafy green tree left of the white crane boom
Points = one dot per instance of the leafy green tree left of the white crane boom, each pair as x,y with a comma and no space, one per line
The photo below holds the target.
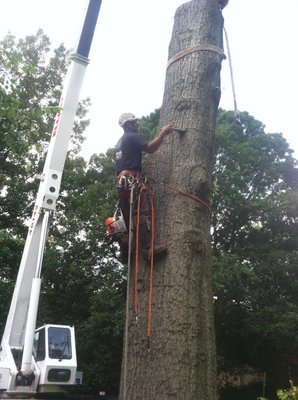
28,86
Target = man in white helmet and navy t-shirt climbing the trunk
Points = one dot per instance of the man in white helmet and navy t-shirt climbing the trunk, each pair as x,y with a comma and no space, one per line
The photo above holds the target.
129,170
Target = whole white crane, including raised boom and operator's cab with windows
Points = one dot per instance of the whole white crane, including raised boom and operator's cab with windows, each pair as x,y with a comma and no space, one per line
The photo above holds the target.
32,360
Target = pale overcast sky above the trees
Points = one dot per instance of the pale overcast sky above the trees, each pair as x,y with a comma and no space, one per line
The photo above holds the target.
130,50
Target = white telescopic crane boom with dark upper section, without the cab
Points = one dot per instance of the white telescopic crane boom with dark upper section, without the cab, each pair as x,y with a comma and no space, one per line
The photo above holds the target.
19,331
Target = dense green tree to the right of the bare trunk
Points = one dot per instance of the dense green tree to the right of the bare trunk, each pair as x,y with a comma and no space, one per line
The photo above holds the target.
255,243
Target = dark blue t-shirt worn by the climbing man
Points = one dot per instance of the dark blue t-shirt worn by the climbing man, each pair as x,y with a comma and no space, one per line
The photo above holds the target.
129,152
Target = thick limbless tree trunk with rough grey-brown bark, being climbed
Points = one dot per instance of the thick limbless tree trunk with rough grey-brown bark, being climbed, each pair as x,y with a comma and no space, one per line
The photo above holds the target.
178,360
